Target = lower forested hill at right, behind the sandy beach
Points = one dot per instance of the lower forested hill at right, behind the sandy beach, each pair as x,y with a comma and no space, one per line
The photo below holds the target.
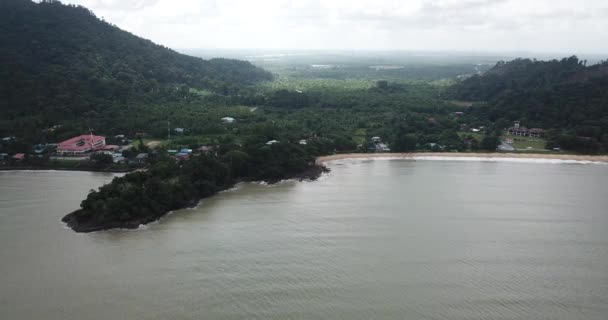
566,96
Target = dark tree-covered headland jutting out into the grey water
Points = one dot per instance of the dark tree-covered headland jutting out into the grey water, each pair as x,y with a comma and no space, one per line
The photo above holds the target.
144,196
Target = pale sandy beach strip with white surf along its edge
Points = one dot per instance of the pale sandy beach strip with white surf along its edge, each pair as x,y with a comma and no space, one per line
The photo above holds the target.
487,155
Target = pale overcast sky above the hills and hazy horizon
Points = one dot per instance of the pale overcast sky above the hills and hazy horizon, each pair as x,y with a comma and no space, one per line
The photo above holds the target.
560,26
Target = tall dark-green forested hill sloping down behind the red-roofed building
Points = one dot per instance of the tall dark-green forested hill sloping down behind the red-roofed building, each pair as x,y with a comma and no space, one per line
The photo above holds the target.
62,58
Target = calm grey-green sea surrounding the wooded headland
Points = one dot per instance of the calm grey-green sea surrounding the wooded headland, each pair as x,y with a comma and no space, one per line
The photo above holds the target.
374,239
